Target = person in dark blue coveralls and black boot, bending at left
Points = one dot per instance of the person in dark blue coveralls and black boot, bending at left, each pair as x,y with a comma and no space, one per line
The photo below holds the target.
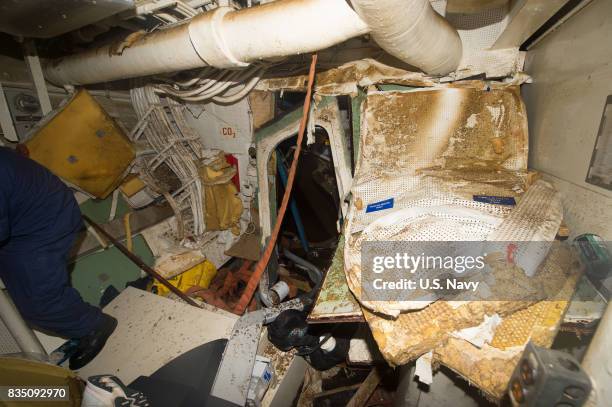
39,220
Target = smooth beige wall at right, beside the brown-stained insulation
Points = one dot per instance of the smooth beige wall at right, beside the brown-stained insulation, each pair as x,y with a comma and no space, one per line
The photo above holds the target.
572,77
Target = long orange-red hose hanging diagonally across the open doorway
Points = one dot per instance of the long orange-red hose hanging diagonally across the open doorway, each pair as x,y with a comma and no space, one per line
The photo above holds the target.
263,262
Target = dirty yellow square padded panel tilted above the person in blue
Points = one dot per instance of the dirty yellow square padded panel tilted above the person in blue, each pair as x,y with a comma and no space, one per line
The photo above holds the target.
82,144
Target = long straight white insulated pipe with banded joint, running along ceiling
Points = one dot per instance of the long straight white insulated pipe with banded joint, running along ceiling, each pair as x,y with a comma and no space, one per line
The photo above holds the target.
223,38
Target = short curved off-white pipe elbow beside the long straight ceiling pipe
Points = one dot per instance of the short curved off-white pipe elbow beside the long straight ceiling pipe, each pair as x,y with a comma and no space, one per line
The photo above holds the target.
413,32
